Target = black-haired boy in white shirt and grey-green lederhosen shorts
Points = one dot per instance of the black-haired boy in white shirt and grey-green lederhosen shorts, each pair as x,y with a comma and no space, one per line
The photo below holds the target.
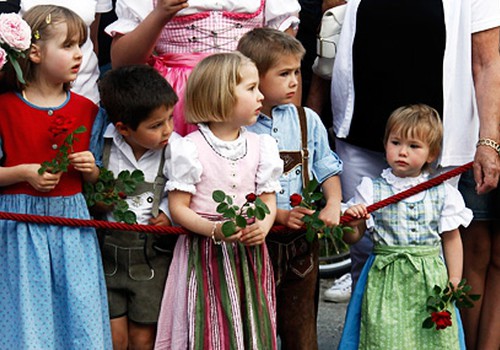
139,103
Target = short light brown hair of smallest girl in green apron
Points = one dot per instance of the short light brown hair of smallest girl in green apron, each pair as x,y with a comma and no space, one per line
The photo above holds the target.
417,121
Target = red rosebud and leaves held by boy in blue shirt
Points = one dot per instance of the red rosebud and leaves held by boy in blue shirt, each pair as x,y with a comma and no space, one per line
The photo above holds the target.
311,198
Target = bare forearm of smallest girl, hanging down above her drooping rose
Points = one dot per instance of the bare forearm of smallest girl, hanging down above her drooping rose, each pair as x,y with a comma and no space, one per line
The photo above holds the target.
453,254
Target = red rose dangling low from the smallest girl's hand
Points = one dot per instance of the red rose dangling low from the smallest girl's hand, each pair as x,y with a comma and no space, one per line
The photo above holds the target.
439,303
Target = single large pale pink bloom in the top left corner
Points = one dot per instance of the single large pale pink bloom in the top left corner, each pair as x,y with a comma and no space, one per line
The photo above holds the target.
14,32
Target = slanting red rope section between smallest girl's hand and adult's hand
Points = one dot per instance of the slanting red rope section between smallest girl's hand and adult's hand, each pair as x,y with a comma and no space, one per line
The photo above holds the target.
412,191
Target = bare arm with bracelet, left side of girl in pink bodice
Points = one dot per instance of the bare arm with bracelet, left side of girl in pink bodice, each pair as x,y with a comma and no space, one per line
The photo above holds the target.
182,214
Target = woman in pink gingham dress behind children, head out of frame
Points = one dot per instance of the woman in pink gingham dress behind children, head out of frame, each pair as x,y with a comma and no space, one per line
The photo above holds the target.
180,35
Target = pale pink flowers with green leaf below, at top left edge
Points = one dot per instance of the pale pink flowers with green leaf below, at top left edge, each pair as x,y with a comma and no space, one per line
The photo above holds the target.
15,40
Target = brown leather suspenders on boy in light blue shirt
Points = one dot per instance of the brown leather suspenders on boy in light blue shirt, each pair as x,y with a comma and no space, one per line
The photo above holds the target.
291,159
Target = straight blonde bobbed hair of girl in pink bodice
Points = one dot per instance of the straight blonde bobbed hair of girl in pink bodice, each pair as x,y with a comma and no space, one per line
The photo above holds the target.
210,90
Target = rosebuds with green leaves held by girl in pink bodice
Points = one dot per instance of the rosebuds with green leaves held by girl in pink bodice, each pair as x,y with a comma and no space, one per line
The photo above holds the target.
253,208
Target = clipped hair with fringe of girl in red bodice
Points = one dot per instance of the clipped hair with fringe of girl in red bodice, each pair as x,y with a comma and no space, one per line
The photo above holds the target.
41,19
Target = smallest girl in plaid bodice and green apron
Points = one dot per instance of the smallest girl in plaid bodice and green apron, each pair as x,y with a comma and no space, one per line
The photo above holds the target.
388,305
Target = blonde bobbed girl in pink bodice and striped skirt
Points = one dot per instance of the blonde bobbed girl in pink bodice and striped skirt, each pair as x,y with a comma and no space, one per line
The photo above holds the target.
220,291
